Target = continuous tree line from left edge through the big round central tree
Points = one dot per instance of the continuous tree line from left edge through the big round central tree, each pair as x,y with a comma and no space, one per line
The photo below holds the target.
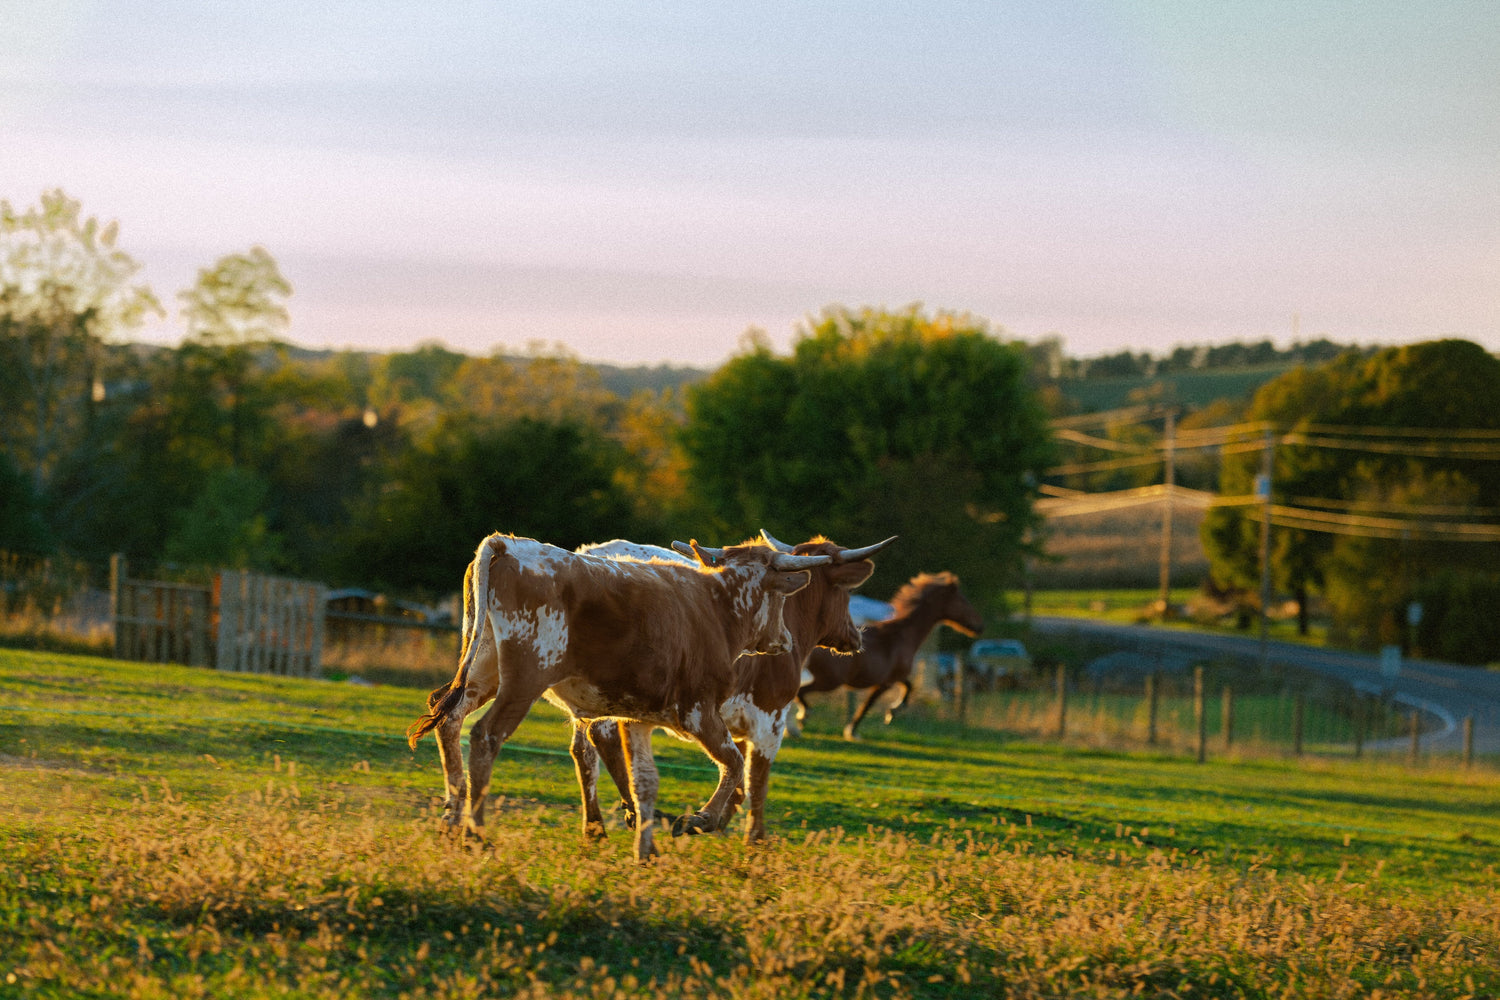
236,451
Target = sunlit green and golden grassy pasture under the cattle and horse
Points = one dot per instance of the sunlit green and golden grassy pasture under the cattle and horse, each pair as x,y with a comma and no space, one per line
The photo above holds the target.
175,833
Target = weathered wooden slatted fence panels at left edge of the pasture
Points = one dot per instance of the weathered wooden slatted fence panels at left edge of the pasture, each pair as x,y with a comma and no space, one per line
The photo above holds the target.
245,621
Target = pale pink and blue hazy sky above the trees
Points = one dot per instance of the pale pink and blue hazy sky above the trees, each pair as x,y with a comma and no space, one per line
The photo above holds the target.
643,184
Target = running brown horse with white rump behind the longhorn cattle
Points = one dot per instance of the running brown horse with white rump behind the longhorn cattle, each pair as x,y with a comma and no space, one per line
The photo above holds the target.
887,648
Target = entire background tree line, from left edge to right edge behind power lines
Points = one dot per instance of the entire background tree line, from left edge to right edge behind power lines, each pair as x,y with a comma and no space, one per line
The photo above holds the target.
235,449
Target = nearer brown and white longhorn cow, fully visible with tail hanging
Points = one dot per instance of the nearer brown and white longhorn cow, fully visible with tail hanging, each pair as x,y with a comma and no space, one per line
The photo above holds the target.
647,642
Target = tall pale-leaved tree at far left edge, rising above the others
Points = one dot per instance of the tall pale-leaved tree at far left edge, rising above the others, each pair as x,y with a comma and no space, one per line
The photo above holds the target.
64,289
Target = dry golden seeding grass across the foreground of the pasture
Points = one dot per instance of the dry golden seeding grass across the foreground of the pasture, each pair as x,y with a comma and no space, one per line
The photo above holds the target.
277,896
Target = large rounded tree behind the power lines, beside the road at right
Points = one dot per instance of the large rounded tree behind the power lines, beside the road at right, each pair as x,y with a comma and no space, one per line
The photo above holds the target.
1441,385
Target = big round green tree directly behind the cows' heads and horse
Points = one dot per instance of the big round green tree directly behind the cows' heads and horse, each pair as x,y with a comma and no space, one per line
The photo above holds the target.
878,424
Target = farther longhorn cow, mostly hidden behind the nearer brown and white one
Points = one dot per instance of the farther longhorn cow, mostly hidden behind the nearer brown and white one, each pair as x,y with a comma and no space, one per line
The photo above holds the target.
764,684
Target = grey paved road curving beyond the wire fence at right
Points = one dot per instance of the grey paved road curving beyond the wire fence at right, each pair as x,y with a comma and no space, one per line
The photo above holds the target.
1447,690
